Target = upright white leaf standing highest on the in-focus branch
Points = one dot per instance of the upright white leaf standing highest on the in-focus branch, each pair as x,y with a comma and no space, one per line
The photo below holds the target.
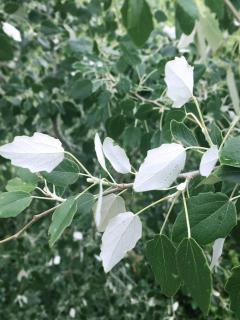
179,80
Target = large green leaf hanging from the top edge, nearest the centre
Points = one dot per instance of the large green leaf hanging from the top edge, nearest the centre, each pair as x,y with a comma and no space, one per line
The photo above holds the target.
137,19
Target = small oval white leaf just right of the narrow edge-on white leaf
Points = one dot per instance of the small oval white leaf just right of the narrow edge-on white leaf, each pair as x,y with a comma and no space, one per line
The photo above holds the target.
116,156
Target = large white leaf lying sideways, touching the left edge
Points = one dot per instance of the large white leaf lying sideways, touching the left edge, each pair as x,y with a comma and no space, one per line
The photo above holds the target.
37,153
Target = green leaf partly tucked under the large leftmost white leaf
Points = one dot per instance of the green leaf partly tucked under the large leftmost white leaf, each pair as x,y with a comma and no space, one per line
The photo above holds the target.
64,174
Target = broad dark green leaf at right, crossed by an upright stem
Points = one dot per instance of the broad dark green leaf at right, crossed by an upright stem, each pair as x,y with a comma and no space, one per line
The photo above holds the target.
211,216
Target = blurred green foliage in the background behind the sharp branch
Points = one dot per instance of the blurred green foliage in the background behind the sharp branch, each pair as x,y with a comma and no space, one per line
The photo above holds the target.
77,71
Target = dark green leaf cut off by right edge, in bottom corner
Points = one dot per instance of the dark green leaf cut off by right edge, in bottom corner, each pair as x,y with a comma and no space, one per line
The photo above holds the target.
233,288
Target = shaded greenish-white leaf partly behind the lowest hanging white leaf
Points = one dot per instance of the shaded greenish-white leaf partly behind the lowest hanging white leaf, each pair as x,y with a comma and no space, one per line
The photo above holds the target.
111,206
